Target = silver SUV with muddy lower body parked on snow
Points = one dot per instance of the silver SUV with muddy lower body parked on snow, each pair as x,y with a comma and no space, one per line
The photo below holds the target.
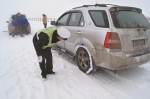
106,35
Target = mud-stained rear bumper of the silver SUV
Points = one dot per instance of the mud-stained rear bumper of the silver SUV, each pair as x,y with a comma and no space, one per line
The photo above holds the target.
117,61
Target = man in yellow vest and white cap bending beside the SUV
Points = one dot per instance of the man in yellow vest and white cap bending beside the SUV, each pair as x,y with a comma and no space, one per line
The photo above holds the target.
43,40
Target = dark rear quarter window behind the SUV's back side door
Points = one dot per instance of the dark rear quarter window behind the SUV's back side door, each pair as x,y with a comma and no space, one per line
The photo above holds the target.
99,18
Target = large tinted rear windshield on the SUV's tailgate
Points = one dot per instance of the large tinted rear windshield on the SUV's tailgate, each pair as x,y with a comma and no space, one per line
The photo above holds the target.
129,19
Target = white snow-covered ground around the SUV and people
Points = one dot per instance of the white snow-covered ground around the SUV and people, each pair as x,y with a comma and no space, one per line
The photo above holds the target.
20,75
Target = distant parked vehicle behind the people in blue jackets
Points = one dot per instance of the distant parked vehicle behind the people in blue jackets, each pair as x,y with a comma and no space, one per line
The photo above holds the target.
11,28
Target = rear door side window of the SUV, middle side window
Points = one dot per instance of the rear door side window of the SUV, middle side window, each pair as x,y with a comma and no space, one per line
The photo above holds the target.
75,19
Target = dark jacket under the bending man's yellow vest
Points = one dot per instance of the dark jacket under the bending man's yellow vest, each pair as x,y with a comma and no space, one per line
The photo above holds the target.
43,41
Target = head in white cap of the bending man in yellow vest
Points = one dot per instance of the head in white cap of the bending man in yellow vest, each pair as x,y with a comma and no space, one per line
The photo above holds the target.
63,33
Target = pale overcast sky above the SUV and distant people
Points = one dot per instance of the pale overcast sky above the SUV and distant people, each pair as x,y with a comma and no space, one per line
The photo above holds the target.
54,8
